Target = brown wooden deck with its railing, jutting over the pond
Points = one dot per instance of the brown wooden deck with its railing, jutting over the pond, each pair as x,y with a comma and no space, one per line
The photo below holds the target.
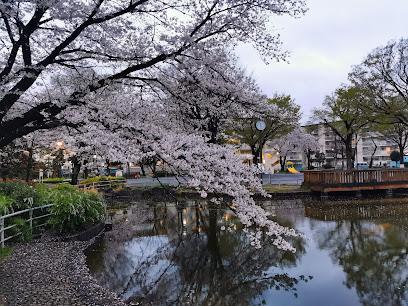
356,180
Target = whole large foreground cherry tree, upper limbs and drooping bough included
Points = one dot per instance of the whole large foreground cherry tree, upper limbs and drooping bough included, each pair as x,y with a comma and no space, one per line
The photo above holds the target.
97,67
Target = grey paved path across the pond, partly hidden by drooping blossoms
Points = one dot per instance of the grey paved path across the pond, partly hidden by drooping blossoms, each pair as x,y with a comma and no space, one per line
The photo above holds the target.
274,179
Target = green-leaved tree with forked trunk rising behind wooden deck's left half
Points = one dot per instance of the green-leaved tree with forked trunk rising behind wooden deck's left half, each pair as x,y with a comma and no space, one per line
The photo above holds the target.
341,112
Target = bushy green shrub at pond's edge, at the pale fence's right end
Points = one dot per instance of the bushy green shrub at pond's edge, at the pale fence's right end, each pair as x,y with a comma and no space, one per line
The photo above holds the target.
73,209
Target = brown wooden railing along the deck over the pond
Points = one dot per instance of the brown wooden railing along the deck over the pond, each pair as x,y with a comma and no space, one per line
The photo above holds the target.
339,177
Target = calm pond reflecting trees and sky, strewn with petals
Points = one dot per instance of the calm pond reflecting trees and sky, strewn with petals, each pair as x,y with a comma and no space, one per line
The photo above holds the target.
185,253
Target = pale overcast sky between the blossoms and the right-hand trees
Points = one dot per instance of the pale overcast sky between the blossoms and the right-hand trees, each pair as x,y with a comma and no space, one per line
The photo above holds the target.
324,44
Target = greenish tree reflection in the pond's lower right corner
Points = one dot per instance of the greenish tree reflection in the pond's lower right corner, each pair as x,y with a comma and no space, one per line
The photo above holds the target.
374,257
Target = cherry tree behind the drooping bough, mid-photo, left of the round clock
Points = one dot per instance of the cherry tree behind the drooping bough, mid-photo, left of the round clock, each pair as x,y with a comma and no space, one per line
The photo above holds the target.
206,95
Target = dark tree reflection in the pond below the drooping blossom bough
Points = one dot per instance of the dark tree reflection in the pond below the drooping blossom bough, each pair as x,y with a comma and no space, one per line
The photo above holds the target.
195,262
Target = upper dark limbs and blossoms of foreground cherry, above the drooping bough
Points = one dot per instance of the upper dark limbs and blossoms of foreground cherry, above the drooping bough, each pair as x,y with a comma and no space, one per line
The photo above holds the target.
124,40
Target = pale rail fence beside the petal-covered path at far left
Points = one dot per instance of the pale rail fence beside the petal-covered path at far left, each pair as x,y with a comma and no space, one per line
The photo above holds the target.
31,218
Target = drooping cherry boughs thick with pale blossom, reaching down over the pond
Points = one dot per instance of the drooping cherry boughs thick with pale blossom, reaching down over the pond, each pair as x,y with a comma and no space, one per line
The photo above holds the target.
141,129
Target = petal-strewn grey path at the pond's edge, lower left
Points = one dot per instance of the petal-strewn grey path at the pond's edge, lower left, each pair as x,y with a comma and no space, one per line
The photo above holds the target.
51,273
